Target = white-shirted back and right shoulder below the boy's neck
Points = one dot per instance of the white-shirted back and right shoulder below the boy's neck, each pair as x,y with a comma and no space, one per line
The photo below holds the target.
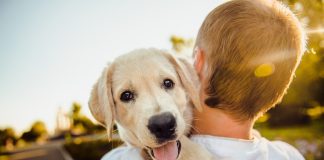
259,148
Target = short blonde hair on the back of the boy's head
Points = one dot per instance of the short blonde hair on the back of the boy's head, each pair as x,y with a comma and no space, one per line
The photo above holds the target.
252,49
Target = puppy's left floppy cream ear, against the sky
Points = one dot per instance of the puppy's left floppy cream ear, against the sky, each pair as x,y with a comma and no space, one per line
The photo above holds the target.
101,101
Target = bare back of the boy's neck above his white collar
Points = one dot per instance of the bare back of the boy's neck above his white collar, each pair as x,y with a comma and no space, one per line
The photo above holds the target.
215,122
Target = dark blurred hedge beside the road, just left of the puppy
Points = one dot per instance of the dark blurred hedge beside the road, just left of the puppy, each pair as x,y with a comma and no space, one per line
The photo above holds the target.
85,150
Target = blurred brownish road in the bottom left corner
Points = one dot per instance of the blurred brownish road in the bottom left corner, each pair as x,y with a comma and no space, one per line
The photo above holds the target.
49,151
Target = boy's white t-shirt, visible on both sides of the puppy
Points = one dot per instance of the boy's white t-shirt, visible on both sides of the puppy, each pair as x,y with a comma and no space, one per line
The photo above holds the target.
226,149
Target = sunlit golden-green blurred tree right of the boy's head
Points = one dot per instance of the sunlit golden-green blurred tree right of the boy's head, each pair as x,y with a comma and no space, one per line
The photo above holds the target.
305,88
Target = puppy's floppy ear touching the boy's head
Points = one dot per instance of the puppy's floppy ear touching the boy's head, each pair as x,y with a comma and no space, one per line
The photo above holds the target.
188,78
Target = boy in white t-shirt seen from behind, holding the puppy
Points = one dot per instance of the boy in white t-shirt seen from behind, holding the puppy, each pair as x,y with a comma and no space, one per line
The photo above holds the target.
246,54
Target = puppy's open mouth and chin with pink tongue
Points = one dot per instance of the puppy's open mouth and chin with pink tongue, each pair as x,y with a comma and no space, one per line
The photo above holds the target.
168,150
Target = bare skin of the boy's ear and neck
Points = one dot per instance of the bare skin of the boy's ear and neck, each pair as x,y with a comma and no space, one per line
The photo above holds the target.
213,121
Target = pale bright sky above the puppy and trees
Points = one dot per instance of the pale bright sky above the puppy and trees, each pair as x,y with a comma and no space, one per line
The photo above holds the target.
52,52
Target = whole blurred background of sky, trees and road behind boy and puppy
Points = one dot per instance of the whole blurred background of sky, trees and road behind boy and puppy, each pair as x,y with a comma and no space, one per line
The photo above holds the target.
52,52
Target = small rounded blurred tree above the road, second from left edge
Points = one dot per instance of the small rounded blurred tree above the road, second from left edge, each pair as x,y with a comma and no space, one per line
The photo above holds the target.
38,132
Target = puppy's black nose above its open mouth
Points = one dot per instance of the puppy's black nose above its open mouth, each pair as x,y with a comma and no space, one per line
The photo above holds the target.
162,126
